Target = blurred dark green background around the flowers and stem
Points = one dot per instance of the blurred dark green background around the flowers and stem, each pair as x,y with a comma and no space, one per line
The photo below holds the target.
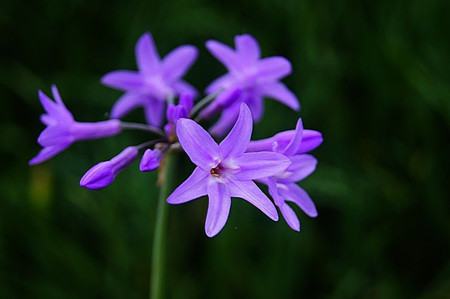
373,76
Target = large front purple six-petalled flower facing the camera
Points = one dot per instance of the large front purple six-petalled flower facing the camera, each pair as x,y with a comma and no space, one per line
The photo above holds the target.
224,170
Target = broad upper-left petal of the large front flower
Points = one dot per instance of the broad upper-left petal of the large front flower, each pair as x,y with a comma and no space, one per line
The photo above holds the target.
197,143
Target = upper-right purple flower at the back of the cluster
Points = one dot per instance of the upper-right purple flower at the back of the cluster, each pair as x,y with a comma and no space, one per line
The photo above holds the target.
249,80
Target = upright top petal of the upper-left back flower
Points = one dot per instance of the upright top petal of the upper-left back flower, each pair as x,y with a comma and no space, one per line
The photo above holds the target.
147,57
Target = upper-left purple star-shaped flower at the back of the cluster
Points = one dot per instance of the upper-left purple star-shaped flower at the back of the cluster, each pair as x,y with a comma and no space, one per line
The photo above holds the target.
154,83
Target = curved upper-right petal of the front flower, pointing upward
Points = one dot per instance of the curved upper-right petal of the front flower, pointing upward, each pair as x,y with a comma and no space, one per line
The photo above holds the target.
237,140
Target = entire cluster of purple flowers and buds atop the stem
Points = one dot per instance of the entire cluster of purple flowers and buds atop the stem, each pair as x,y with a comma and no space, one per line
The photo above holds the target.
232,168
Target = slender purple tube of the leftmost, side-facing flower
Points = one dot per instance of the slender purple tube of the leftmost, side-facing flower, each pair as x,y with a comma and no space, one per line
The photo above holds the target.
85,131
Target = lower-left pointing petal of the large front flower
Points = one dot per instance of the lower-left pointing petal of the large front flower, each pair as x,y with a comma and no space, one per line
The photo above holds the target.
192,188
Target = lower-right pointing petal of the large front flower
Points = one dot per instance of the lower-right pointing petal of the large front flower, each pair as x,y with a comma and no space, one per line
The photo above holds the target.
248,191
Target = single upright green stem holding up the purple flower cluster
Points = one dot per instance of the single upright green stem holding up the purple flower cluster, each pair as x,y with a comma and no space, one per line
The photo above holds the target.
165,181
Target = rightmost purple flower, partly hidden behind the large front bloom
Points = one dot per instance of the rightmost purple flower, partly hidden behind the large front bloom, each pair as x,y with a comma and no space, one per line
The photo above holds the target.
282,186
